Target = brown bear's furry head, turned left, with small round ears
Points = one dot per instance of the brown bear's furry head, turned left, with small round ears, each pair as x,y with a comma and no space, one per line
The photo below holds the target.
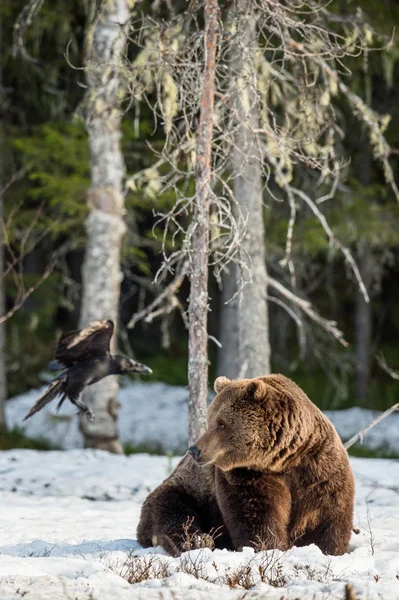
254,423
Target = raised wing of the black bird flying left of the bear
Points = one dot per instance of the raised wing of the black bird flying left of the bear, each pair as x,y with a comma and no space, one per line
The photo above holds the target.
86,343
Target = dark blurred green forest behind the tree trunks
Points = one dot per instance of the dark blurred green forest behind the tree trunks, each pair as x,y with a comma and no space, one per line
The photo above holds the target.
45,173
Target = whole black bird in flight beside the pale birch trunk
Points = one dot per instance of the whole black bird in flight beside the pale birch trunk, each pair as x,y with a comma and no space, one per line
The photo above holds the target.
85,358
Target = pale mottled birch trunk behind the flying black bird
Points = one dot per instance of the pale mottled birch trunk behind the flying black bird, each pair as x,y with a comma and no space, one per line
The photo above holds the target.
105,225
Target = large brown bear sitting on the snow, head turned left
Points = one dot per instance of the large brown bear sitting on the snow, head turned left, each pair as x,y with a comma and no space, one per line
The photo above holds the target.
269,472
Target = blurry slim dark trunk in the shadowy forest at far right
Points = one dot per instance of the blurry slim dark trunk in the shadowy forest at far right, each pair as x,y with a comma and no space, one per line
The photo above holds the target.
363,327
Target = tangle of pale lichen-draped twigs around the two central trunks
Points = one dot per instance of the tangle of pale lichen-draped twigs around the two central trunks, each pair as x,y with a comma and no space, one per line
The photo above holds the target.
294,77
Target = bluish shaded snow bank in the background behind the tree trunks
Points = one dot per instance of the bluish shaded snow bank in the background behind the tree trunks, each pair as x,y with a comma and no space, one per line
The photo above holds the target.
155,414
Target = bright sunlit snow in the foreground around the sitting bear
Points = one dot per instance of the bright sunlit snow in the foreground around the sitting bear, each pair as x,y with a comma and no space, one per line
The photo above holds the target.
69,526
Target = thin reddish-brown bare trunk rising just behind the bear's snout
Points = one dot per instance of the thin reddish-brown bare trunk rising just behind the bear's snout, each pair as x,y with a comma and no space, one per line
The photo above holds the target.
199,242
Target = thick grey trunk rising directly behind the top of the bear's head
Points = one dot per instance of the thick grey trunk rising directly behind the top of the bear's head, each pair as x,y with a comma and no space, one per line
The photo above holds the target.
251,308
